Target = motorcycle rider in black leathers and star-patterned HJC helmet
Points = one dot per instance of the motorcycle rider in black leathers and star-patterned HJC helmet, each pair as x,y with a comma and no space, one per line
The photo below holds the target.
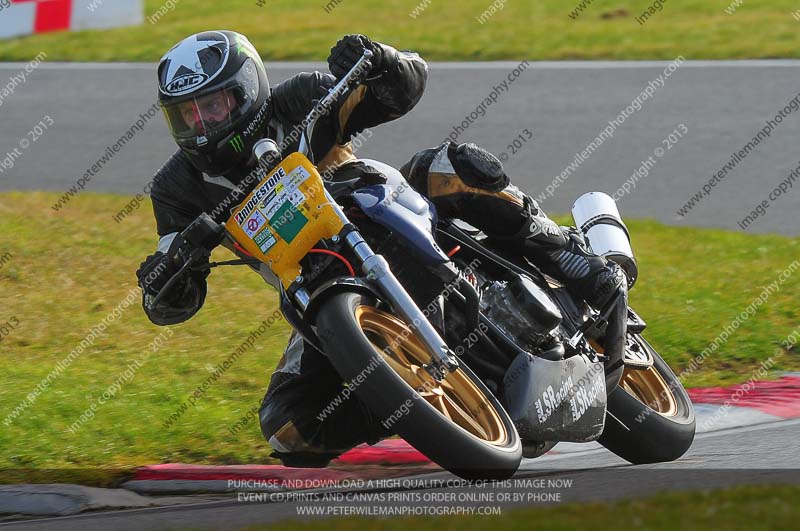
215,94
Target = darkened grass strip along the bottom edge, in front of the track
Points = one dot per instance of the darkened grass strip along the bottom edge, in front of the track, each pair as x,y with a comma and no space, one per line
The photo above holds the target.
740,508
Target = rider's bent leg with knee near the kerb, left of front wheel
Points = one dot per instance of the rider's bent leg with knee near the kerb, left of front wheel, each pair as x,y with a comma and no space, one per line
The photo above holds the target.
306,417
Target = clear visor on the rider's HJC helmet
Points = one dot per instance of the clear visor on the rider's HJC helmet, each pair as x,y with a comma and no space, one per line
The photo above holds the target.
212,115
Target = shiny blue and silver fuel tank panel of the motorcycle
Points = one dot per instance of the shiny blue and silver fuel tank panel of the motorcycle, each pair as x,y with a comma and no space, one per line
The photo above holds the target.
399,208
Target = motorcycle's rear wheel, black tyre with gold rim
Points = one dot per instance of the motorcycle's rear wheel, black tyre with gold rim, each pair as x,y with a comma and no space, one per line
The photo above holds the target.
656,410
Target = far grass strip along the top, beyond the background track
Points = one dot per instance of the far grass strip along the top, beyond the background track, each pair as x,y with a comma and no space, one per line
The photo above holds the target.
523,29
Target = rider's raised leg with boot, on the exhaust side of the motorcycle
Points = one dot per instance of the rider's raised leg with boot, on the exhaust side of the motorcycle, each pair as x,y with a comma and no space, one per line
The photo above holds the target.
467,182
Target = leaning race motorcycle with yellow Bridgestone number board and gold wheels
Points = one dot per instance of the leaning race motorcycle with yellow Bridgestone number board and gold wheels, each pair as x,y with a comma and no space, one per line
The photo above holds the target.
476,358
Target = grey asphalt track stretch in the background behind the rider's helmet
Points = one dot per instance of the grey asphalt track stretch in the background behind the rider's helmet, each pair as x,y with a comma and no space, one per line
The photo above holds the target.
721,105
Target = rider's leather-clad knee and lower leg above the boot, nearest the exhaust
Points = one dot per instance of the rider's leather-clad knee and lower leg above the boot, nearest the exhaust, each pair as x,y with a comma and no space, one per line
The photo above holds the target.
467,182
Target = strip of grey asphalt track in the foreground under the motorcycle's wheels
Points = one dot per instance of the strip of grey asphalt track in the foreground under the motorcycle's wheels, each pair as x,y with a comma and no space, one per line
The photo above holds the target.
751,455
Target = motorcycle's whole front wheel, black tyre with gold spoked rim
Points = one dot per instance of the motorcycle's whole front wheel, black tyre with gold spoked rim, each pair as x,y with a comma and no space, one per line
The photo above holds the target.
456,422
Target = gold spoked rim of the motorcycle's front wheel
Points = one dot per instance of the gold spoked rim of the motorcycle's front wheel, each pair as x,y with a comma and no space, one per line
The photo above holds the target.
456,397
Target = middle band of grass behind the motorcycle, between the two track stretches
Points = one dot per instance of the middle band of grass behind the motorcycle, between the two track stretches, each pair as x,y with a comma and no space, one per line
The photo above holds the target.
68,270
